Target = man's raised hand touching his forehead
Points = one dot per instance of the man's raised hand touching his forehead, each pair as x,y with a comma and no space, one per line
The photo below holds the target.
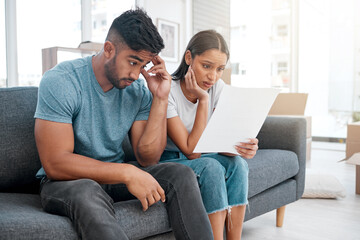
159,84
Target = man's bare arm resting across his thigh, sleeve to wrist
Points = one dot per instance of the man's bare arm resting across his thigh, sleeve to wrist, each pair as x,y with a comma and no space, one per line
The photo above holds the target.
55,144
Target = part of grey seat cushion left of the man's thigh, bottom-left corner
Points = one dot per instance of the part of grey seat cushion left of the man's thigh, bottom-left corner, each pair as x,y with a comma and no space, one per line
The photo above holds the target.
22,217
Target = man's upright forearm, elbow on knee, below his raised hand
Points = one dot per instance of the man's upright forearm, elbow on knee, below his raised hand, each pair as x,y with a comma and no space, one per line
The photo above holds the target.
153,140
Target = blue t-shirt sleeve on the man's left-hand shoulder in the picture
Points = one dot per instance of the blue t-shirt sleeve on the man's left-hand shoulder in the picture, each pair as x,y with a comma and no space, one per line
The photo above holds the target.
58,99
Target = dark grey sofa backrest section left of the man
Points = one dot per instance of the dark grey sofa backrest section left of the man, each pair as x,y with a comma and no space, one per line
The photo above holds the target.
19,160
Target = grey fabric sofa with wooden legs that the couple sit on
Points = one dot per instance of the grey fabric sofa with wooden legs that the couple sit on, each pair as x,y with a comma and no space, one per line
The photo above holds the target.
276,176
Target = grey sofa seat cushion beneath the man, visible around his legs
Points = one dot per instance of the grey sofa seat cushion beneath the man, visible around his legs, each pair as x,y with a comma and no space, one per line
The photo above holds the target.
22,217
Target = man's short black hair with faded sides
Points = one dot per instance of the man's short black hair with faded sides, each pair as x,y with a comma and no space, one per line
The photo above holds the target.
136,29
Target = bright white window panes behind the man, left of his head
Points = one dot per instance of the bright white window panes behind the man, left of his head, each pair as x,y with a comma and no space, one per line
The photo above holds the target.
57,23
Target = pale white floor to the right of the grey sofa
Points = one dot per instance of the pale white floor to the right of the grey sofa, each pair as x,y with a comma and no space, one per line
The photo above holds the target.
316,219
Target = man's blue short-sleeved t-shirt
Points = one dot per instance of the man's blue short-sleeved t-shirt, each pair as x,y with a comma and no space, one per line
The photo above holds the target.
70,93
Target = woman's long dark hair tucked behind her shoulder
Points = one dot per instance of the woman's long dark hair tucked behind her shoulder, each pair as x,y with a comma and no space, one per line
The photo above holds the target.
198,44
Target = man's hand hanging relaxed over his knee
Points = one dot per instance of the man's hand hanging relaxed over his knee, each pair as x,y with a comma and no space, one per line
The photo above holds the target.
145,188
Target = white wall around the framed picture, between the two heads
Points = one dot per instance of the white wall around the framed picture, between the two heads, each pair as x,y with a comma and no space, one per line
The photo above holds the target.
178,11
